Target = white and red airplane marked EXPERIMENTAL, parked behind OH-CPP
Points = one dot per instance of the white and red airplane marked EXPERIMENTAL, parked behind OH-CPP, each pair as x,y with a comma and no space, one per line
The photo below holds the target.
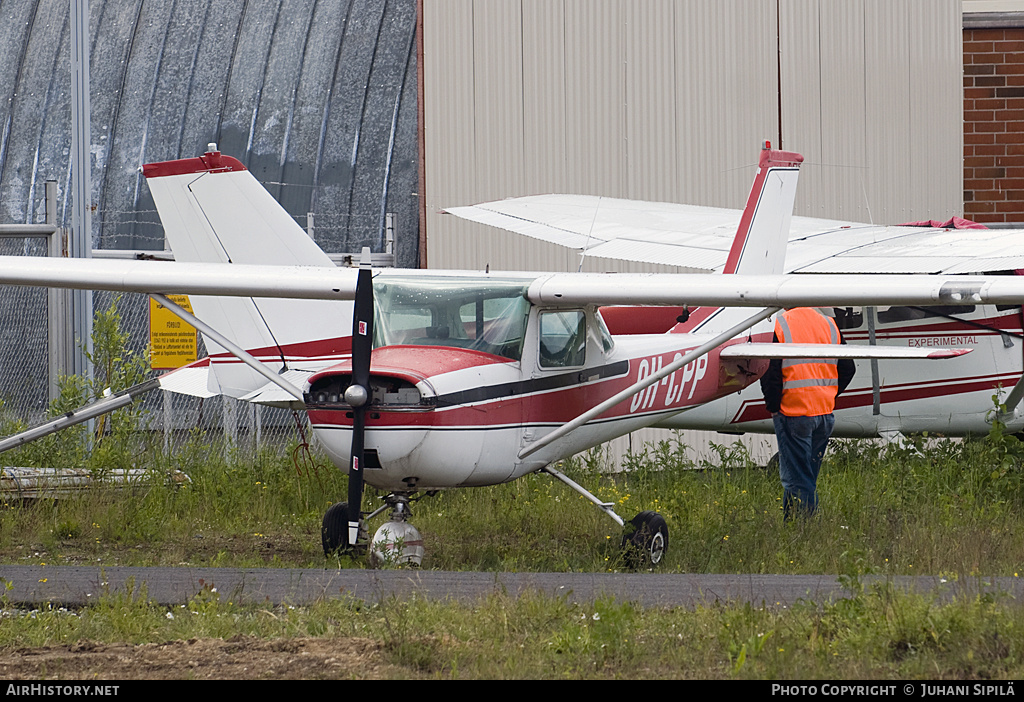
887,400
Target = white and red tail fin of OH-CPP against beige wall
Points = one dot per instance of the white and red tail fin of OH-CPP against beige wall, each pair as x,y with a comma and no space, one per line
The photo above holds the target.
759,248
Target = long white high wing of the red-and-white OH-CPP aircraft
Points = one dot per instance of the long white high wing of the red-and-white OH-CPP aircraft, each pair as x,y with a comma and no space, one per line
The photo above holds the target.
317,283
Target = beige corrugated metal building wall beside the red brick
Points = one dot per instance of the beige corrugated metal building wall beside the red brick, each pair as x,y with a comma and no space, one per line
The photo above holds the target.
668,101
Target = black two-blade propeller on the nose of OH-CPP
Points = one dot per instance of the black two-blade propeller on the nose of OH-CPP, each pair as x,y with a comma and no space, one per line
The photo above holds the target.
358,394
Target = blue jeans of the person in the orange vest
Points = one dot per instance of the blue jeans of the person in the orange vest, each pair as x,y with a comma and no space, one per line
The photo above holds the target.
802,443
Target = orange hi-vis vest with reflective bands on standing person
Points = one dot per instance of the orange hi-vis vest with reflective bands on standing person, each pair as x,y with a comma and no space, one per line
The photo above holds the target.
809,385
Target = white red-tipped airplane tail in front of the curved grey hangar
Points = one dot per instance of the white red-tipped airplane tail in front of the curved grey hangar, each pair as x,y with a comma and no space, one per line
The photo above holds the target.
214,210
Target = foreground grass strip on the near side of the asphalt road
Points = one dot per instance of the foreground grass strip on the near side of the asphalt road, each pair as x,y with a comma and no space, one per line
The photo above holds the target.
877,634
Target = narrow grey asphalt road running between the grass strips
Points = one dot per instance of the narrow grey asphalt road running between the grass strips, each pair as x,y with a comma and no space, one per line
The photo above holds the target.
75,587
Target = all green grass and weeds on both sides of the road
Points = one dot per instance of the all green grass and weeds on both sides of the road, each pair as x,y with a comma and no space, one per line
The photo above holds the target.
937,507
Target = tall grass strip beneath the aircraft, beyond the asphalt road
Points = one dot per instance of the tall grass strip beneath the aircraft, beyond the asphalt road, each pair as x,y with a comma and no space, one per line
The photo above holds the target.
951,509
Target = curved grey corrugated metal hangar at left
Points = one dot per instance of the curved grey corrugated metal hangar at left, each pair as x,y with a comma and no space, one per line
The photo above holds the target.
318,99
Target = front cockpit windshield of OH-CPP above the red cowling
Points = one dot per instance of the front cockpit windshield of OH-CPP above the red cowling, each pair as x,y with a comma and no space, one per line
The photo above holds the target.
488,316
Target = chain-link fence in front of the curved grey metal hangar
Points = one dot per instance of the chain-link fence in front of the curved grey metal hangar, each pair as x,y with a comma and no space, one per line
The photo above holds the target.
30,318
